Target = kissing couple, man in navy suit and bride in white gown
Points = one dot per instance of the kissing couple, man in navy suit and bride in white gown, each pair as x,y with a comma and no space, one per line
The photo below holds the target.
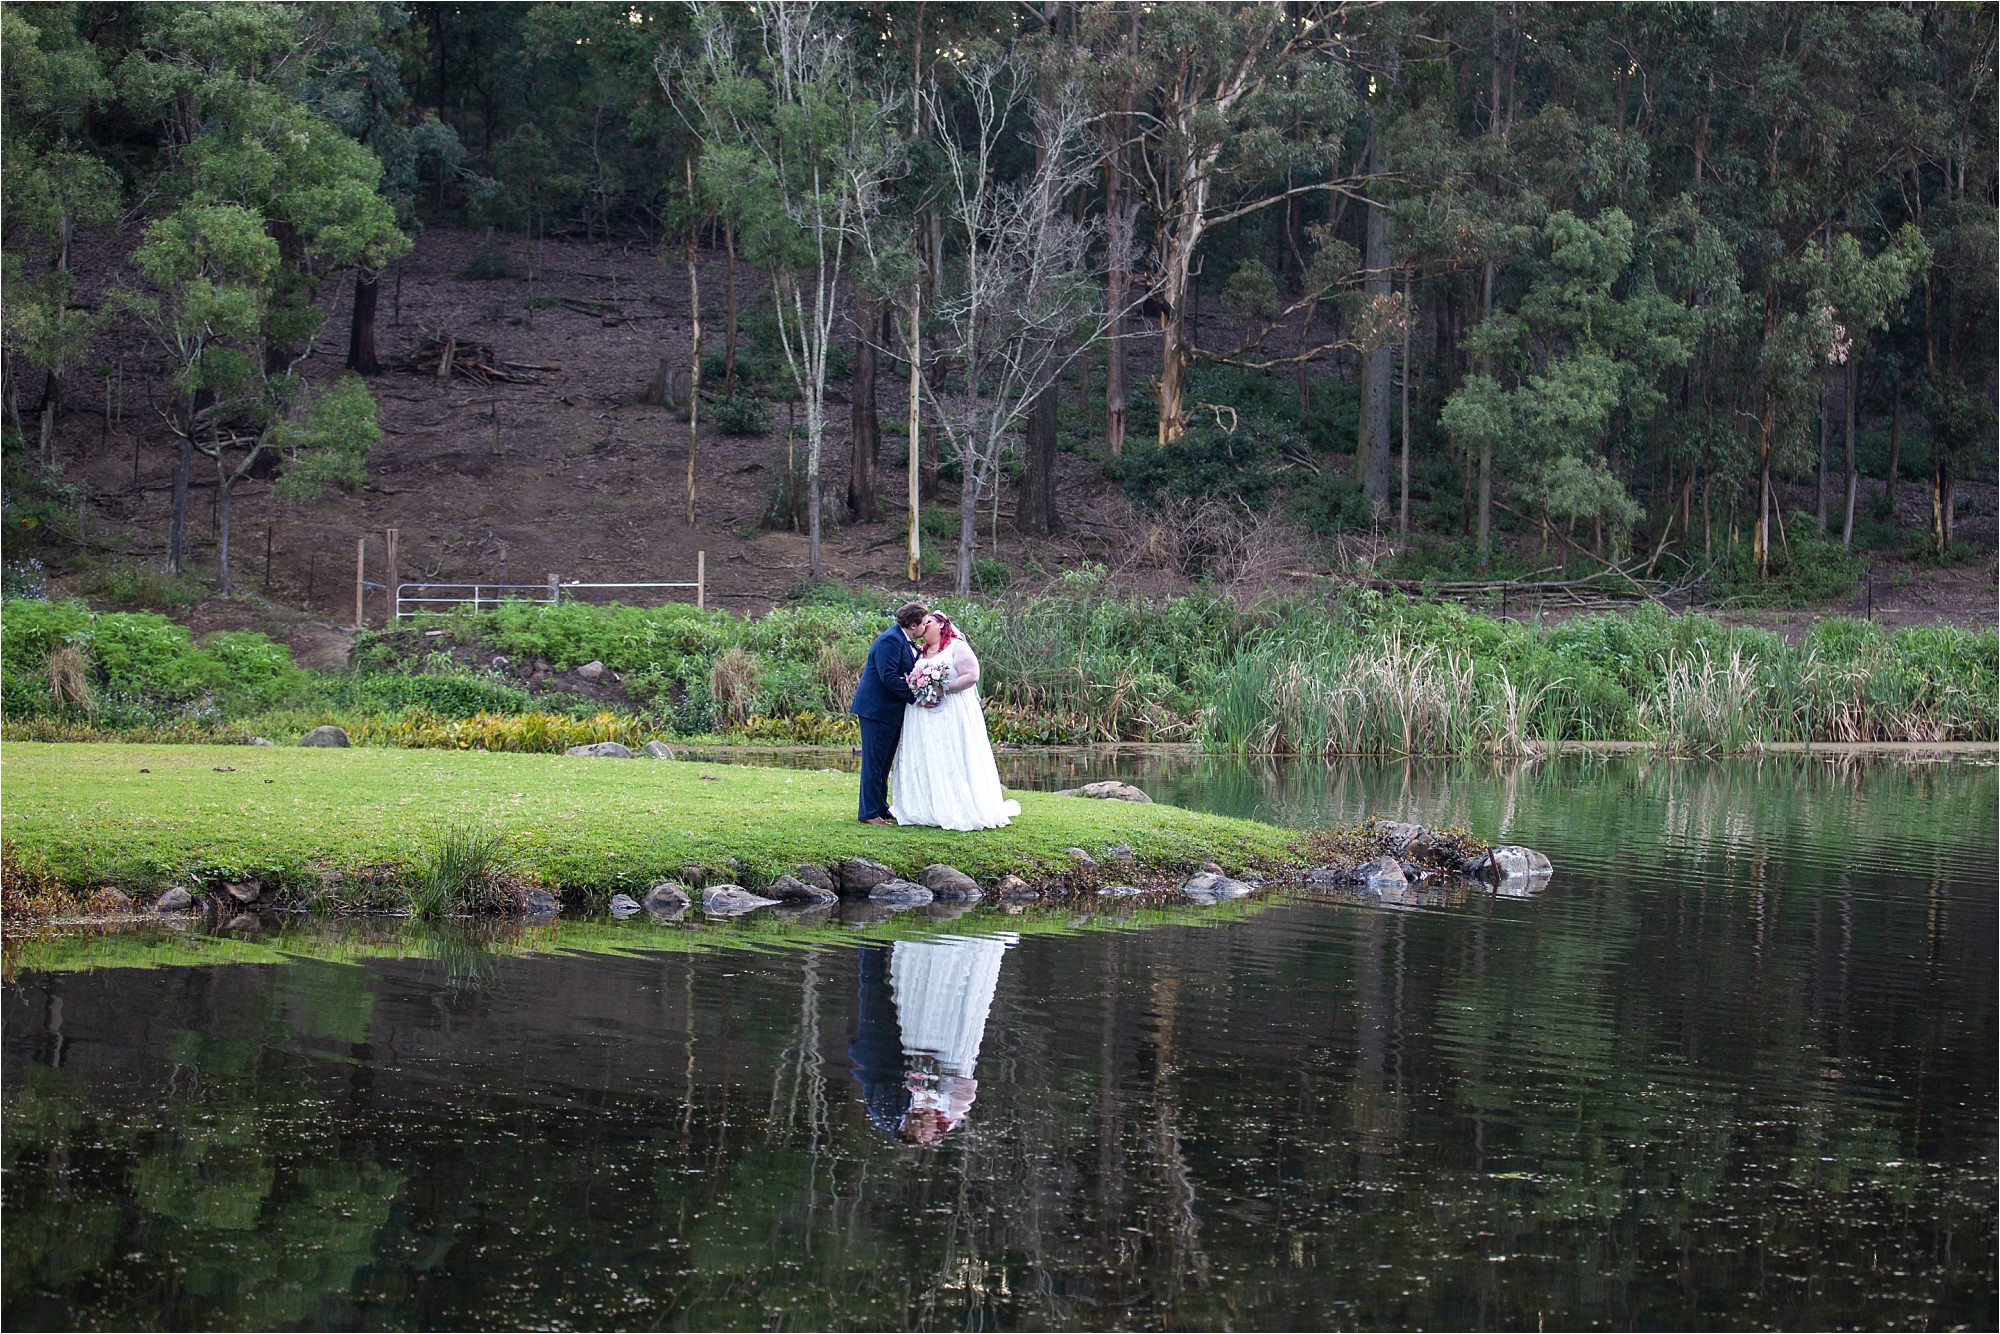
923,729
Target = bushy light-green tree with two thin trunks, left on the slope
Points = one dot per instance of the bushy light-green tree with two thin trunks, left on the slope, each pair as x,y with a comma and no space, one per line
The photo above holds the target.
265,199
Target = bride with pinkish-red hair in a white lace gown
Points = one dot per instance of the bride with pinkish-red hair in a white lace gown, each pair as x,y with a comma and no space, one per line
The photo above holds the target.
945,767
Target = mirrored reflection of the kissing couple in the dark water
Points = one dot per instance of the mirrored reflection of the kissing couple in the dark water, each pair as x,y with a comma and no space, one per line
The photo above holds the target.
919,1029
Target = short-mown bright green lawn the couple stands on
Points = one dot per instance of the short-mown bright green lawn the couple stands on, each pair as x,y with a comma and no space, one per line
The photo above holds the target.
77,817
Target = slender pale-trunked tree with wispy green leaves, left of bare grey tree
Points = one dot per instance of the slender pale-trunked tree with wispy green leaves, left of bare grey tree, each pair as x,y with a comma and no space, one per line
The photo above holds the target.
795,153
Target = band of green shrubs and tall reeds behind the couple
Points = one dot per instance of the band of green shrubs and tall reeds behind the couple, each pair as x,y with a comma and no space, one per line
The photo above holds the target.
1357,673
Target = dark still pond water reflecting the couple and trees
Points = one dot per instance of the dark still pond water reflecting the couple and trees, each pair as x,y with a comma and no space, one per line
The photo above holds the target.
1733,1069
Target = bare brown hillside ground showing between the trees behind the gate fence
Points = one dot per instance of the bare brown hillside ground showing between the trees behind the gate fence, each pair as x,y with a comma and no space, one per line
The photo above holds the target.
575,475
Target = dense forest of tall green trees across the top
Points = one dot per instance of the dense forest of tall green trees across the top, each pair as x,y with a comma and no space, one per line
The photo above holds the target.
1569,279
